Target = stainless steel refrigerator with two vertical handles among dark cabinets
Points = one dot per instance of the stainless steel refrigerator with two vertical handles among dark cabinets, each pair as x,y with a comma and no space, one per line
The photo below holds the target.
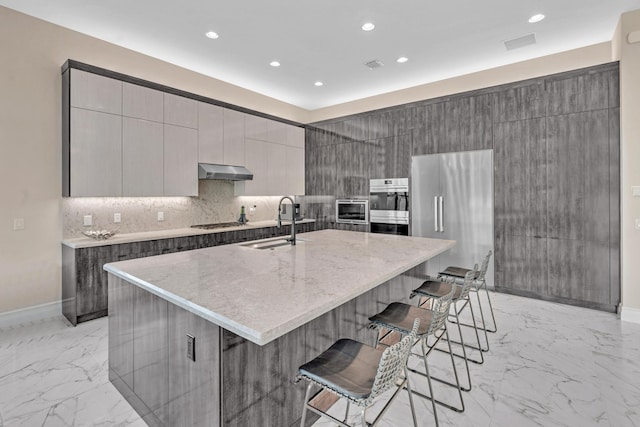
452,198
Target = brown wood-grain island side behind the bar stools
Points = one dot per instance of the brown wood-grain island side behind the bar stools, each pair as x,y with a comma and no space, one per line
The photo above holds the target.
258,386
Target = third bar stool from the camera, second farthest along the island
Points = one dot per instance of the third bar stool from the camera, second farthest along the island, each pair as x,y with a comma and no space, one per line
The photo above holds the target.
433,290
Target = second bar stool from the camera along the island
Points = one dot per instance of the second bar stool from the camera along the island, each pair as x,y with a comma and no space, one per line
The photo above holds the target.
396,317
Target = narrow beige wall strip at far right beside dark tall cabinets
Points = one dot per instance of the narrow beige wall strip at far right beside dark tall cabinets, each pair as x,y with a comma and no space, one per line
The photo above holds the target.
630,169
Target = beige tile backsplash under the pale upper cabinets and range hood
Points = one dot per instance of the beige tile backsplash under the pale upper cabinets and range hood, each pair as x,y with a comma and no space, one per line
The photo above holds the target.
215,203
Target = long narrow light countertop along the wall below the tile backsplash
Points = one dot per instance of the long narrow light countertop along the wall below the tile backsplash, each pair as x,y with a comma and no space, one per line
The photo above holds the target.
86,242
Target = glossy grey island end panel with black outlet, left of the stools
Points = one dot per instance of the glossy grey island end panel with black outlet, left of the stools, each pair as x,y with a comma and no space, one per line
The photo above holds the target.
148,361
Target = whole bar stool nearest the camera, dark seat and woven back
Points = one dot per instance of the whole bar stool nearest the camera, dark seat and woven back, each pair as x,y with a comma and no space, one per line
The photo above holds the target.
360,374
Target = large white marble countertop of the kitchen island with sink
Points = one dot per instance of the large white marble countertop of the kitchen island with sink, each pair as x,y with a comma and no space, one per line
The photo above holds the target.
261,294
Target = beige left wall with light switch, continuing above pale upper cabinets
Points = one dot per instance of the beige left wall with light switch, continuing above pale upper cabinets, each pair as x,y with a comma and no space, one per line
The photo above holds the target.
31,53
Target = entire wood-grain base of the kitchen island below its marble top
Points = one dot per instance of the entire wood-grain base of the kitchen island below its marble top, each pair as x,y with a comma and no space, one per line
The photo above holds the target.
232,382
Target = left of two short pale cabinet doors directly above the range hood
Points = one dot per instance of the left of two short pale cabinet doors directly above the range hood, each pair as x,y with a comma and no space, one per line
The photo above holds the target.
210,133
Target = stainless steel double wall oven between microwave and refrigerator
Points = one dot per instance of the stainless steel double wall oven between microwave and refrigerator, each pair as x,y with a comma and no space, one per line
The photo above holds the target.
389,205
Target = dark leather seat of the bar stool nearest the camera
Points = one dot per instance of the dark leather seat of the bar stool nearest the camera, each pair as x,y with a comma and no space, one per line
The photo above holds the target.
349,367
